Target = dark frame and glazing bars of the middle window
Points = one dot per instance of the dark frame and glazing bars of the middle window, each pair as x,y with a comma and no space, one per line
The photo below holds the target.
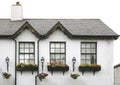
58,53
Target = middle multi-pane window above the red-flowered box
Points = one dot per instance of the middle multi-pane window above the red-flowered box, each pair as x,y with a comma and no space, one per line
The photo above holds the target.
57,52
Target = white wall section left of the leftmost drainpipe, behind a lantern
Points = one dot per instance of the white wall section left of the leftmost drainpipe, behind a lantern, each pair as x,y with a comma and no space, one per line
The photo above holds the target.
7,48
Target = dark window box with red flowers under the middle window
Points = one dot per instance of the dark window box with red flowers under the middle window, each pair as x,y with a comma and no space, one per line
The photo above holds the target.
57,67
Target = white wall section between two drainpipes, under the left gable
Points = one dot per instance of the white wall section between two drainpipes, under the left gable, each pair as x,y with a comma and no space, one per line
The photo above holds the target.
26,78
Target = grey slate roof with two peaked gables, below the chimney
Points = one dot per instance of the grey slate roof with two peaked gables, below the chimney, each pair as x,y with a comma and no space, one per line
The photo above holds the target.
76,27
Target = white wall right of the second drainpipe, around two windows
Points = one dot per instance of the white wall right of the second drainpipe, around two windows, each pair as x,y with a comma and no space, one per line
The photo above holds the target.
104,58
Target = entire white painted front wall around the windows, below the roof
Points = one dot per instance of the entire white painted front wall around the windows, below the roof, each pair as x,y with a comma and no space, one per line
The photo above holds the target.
104,58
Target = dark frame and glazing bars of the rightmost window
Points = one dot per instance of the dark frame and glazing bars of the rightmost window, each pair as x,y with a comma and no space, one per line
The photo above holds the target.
89,53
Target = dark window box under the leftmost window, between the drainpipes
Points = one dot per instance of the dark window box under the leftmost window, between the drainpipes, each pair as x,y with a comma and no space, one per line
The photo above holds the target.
27,67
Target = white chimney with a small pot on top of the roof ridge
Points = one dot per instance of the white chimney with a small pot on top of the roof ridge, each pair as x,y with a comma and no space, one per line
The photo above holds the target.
16,12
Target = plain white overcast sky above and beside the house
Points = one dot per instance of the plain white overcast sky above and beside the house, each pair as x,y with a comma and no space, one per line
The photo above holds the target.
106,10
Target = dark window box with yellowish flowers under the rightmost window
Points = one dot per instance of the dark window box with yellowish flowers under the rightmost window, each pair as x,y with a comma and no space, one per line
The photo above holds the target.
91,67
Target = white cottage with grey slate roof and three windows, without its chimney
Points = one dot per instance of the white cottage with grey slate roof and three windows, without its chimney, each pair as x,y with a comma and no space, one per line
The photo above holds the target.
25,42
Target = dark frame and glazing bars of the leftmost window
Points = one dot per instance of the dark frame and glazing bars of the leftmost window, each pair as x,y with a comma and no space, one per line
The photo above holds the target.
26,53
